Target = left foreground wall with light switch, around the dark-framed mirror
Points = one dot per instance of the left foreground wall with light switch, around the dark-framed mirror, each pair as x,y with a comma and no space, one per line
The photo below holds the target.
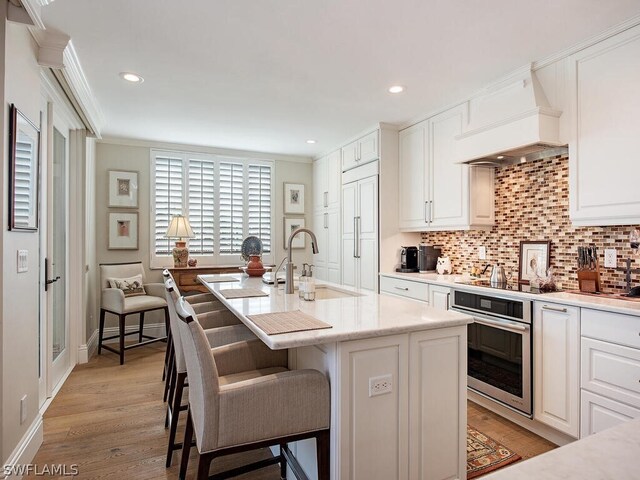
20,292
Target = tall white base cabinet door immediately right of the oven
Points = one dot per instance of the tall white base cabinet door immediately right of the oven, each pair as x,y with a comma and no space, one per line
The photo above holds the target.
556,358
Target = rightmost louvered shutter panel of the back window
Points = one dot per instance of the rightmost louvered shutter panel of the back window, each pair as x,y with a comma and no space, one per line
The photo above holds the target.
259,204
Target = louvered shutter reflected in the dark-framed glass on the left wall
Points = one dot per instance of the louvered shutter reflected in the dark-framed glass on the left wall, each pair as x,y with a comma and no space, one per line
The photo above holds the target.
25,178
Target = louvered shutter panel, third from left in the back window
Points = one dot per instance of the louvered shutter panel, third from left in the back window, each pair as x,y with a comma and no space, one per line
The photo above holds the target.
231,226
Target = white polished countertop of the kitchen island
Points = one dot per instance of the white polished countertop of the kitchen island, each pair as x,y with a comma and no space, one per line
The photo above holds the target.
356,315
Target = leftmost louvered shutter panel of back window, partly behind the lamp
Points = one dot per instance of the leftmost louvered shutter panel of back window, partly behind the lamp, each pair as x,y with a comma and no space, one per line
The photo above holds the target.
168,199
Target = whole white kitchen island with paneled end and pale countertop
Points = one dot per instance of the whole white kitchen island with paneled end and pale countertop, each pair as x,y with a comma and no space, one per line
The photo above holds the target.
397,369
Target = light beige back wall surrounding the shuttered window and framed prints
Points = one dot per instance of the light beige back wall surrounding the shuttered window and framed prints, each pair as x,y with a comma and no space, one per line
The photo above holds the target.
135,155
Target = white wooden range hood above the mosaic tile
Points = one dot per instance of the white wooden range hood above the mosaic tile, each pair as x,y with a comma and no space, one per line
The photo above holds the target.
511,119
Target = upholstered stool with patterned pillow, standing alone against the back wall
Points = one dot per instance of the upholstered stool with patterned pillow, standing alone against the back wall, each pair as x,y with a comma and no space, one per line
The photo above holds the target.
124,293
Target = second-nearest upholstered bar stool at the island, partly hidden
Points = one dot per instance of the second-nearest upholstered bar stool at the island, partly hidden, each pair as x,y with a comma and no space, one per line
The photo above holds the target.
221,335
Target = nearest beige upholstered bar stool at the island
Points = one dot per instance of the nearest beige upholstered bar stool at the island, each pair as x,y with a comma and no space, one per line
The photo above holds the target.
243,397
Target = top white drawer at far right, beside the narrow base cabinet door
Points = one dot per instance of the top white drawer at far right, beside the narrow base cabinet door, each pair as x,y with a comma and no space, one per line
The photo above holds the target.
611,327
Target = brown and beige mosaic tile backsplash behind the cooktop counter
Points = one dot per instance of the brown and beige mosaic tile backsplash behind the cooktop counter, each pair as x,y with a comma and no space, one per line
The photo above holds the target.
532,203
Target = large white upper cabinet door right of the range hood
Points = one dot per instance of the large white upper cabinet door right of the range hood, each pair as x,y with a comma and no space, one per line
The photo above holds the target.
603,164
